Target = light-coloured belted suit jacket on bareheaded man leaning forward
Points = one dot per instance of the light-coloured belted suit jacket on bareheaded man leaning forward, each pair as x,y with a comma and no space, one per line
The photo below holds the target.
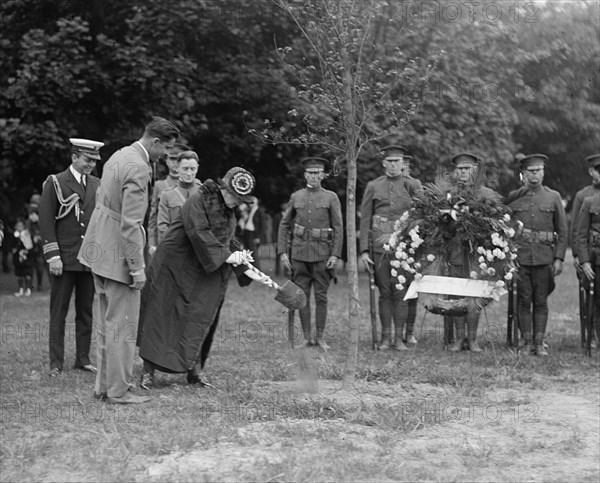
114,243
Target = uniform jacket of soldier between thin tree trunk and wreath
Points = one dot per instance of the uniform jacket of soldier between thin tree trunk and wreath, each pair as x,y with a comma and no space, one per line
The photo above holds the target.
385,200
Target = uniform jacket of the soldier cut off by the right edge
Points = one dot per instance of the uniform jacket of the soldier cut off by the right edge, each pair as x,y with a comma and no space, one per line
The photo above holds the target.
587,232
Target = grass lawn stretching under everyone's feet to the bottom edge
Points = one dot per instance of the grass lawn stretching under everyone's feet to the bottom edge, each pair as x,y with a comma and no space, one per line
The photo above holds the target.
279,414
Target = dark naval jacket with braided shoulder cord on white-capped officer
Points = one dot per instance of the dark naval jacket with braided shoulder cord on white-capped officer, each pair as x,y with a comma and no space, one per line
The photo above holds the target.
63,237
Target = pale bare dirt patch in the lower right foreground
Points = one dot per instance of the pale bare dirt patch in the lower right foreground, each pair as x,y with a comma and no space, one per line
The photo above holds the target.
507,435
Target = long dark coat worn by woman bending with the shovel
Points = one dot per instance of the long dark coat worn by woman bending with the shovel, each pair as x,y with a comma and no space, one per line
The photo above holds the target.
187,281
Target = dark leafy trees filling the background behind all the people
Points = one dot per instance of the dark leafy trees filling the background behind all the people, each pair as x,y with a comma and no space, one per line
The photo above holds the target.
100,68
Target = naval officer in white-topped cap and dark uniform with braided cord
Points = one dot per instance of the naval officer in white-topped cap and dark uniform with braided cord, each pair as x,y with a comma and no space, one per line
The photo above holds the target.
68,200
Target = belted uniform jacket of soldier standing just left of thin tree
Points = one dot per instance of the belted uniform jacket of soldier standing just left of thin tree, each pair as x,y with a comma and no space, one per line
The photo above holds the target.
314,220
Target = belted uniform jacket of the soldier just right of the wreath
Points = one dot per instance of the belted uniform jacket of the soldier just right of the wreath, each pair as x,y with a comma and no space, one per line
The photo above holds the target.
544,234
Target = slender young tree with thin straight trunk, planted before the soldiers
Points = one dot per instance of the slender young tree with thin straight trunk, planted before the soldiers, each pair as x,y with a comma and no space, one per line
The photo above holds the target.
347,84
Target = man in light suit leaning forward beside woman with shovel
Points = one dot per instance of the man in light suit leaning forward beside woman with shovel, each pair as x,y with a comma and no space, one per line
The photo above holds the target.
113,248
